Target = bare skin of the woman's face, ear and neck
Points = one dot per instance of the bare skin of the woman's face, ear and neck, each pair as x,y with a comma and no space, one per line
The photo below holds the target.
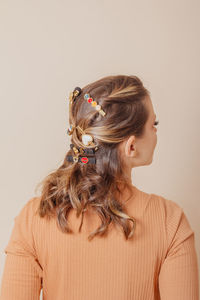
139,151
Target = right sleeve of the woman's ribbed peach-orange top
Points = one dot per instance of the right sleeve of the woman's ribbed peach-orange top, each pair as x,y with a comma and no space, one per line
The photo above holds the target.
179,274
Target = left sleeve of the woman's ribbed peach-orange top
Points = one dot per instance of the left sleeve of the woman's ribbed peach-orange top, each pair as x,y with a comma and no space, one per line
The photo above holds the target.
22,274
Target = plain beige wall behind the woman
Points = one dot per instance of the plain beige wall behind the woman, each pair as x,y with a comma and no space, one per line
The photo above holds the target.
49,47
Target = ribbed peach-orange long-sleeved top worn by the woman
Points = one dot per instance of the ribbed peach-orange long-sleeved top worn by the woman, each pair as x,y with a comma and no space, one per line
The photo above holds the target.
160,262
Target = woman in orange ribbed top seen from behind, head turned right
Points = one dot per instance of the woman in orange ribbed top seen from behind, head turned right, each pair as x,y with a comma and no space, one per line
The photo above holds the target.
92,234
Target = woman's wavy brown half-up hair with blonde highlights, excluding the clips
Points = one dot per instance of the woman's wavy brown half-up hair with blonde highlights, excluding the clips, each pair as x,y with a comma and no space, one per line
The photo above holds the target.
81,186
